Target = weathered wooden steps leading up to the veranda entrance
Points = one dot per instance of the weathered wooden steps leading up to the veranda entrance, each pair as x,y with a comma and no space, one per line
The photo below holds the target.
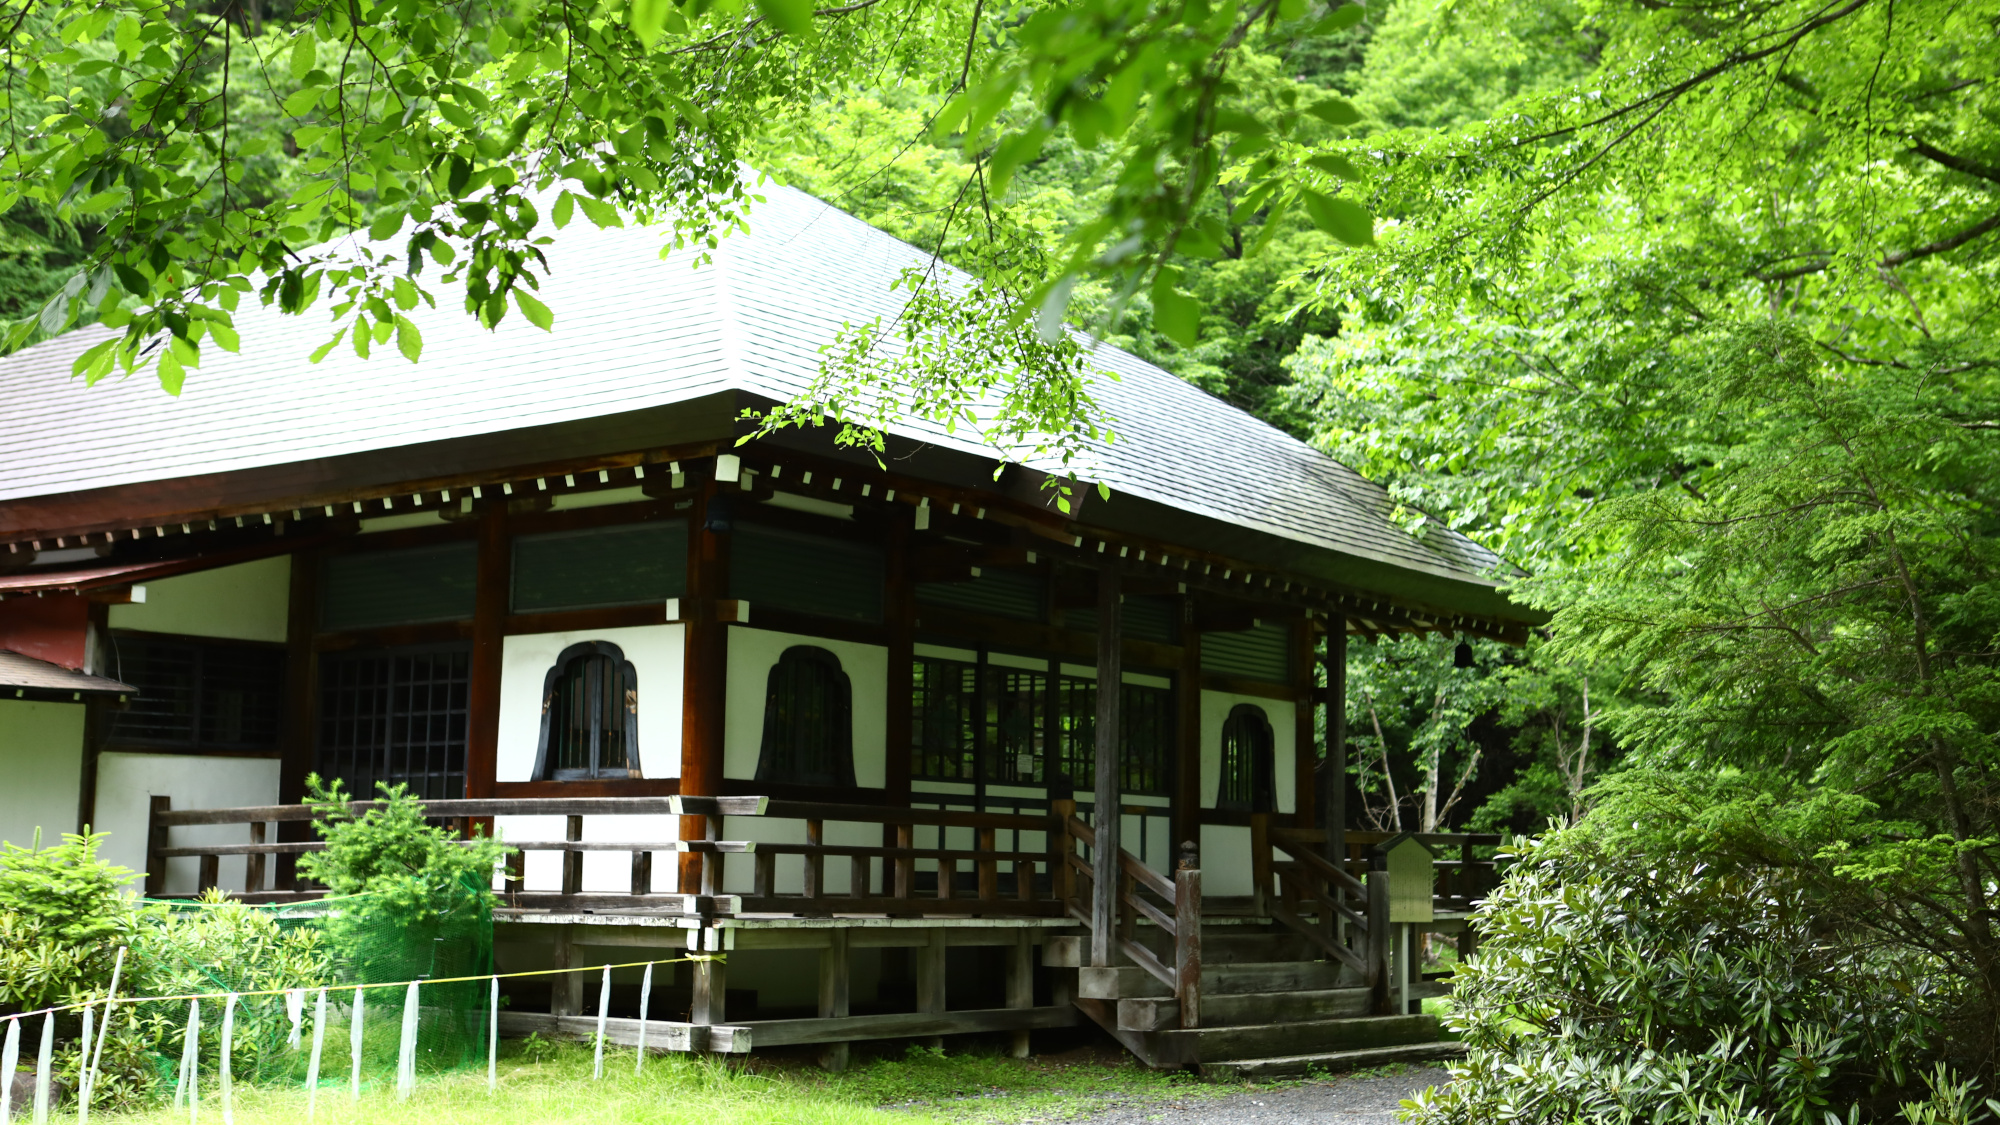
1267,1010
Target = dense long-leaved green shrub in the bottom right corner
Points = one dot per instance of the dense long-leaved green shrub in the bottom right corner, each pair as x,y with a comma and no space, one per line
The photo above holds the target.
1631,986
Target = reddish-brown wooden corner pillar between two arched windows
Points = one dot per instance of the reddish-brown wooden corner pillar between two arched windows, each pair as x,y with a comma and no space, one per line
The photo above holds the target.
705,696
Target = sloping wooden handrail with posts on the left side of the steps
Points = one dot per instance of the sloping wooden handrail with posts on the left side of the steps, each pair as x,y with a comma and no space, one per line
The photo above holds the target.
1177,914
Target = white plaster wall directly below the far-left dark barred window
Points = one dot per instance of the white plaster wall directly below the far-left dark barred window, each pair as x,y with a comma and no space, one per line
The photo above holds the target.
195,782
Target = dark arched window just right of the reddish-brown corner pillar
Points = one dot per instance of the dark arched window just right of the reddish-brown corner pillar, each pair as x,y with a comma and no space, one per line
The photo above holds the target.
809,722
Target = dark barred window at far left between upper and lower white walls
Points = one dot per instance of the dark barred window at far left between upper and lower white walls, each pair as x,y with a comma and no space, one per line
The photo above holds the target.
199,694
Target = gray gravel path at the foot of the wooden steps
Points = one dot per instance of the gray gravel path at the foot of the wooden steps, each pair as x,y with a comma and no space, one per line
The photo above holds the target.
1335,1102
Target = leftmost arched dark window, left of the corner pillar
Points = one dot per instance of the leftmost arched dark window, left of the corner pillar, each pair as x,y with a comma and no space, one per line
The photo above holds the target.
589,716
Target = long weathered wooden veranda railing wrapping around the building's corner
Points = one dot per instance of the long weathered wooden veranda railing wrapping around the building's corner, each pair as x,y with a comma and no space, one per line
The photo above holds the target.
705,890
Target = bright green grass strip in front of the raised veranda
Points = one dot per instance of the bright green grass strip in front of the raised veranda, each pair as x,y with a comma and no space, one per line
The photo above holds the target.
549,1084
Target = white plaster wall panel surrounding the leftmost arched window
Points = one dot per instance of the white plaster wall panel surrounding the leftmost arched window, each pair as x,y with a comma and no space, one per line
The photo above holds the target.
659,658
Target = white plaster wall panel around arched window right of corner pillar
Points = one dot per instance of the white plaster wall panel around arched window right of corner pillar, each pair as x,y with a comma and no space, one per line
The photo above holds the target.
755,652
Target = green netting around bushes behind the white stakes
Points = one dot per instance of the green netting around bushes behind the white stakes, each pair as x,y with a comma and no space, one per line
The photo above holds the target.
279,960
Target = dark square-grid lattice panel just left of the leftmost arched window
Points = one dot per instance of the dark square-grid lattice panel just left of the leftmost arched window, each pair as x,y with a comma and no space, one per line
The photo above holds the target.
397,716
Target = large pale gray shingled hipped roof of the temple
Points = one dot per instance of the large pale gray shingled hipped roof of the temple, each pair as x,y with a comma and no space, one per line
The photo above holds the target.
637,331
